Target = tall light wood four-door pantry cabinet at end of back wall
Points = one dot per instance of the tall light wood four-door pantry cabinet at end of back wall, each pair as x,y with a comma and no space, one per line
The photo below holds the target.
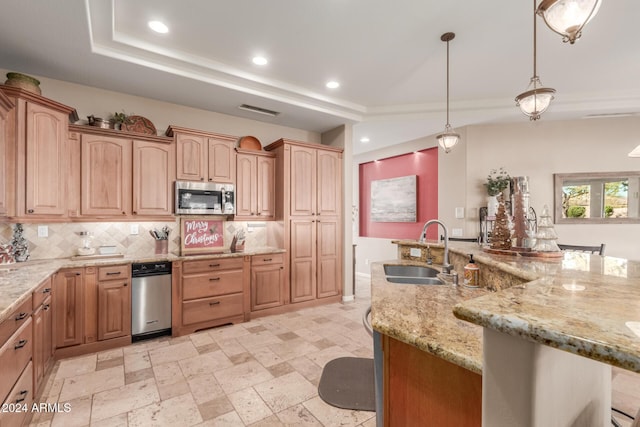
309,216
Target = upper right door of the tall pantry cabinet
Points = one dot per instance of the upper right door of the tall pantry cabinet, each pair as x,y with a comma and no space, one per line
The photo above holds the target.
329,183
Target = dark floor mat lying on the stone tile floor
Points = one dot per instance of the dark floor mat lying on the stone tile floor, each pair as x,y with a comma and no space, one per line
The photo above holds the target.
348,383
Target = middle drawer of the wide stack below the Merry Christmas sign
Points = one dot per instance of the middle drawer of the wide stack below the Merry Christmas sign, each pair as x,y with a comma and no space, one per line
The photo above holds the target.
209,285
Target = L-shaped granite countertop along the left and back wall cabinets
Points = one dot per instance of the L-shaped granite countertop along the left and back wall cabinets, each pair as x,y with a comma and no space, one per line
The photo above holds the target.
18,280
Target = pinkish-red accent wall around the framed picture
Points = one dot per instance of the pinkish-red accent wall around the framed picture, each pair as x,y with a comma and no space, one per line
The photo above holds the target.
423,164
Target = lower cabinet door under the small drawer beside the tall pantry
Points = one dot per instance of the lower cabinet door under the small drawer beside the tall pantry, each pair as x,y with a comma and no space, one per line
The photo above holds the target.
266,286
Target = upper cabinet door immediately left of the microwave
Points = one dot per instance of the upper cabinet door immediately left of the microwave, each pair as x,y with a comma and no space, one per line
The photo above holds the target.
153,175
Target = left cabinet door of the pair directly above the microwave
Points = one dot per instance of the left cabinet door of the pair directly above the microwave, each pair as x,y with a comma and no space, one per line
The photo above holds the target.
191,157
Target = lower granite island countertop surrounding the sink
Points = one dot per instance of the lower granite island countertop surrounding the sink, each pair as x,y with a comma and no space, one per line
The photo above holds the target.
422,316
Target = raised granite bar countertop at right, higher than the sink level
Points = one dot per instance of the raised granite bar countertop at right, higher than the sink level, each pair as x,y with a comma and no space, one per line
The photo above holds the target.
584,304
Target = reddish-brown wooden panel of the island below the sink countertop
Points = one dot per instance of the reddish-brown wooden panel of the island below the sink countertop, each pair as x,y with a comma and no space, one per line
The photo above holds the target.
421,389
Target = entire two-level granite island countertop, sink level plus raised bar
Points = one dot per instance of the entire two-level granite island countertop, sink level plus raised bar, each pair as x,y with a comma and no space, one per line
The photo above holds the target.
601,321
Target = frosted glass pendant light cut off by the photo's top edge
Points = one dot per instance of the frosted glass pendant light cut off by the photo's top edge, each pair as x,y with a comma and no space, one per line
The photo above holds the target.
568,17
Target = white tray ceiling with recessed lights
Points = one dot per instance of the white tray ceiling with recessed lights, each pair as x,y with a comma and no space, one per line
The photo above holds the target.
387,56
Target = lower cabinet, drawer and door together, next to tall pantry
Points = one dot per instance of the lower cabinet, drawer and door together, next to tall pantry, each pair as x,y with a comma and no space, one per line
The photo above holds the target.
267,281
